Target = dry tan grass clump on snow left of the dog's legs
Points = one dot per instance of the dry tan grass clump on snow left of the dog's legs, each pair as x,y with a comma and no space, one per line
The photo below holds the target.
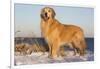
28,49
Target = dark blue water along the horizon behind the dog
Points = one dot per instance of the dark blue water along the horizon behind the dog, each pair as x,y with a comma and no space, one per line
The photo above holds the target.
41,42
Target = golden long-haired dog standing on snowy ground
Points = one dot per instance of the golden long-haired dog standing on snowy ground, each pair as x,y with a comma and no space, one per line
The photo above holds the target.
58,35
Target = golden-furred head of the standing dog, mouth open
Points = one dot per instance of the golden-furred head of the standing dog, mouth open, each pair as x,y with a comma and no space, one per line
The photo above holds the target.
47,13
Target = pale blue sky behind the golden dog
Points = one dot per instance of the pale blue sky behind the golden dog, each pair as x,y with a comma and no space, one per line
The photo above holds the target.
27,19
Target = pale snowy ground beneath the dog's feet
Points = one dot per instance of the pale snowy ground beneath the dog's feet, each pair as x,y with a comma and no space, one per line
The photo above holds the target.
40,57
